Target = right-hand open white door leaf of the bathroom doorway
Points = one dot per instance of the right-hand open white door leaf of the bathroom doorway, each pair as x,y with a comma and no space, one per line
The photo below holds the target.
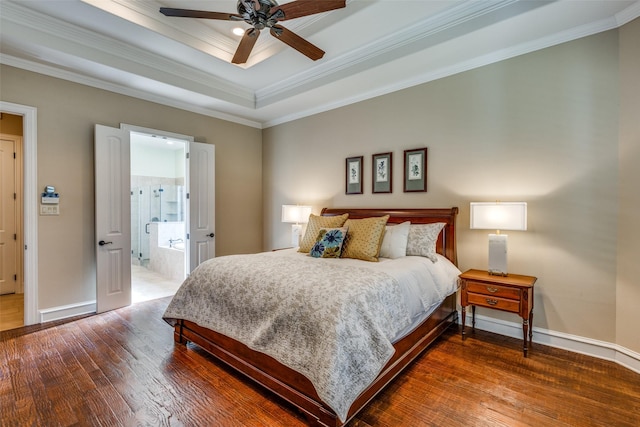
202,186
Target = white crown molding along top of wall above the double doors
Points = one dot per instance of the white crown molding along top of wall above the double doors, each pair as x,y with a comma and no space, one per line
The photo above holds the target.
122,90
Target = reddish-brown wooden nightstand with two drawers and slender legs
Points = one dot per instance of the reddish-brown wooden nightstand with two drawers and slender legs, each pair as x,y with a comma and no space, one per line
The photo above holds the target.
512,293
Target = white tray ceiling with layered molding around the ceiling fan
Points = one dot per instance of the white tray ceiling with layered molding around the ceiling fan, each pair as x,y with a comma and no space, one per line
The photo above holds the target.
372,48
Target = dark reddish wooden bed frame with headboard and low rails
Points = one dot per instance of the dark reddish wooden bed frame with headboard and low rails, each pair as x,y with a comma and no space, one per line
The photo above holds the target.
295,387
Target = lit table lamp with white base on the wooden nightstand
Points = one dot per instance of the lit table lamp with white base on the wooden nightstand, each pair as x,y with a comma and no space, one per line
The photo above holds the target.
498,216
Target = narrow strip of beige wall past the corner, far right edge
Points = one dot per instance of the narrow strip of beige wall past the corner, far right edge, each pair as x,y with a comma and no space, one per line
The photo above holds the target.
628,289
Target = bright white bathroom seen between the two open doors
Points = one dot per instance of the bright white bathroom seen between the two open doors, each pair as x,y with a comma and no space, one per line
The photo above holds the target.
158,232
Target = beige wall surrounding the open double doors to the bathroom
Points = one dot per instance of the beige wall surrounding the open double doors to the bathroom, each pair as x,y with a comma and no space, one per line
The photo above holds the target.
67,113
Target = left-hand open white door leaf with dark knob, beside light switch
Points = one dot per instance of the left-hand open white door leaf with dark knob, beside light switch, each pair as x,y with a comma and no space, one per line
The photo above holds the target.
113,218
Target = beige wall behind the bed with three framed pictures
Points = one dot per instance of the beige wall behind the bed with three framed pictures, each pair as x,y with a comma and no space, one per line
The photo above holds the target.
540,128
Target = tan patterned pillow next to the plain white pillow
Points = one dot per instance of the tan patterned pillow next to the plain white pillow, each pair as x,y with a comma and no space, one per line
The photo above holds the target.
364,238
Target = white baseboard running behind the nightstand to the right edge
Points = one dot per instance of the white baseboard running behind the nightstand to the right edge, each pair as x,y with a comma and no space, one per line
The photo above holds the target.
590,347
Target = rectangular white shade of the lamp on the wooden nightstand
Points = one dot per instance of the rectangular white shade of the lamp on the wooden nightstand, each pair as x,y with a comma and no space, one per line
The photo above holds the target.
499,215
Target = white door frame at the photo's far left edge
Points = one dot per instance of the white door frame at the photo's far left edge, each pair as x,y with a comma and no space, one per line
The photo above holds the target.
30,199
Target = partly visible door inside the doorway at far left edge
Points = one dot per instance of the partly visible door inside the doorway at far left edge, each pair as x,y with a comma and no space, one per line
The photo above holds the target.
8,230
